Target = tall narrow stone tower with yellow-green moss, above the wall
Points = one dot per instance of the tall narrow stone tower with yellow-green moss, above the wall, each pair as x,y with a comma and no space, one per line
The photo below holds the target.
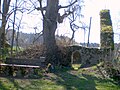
106,33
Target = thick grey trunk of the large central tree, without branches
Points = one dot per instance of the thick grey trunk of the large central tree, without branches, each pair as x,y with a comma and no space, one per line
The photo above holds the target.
49,28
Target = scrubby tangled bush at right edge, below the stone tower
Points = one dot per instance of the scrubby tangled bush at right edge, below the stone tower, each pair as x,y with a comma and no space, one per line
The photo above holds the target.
112,67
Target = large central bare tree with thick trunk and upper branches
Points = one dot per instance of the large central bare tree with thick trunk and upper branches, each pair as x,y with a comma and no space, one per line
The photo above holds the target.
51,16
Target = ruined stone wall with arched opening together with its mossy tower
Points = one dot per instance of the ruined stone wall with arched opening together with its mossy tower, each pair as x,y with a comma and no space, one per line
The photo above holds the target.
92,56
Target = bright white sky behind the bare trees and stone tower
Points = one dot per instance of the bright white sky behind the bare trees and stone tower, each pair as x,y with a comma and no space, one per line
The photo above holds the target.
91,9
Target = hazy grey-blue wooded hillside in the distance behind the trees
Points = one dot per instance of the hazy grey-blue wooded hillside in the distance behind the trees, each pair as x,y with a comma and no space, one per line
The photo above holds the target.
26,39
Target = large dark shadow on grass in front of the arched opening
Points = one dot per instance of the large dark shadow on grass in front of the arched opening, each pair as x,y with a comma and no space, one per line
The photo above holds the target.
79,81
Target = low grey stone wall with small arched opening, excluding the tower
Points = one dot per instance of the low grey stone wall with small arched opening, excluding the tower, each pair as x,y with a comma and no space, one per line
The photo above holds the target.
87,56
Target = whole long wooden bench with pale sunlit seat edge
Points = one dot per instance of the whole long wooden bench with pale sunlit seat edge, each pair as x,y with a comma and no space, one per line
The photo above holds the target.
12,65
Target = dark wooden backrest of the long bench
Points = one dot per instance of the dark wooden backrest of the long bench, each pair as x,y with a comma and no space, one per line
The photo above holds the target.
35,62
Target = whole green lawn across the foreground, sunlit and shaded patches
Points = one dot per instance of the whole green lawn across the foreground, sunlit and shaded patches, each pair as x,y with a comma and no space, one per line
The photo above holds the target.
62,79
